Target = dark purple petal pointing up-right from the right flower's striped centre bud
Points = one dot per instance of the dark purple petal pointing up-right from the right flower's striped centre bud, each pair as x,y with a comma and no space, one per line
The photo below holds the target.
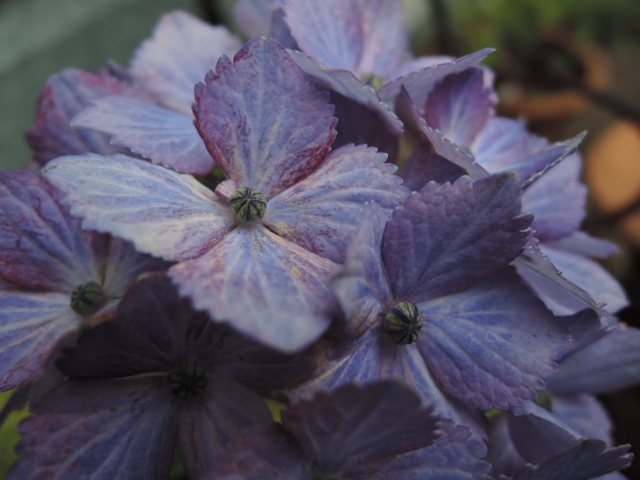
448,237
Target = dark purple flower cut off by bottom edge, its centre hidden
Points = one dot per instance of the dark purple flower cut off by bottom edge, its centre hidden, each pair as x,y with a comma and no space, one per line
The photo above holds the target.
377,431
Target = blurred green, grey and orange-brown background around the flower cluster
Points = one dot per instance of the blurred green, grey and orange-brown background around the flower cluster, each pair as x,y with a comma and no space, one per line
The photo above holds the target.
566,66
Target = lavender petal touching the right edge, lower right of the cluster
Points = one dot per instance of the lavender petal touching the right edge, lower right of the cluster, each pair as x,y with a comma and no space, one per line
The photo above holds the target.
611,363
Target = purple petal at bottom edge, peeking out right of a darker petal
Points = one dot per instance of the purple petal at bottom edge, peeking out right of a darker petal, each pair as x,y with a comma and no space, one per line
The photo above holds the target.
456,455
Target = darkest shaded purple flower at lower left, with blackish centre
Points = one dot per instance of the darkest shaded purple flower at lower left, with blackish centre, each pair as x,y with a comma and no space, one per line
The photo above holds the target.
157,376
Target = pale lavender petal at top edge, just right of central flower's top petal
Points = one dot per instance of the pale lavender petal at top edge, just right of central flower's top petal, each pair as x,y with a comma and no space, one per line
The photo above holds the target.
331,31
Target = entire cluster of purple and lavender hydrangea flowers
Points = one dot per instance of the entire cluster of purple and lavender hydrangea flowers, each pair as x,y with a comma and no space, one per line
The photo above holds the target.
271,251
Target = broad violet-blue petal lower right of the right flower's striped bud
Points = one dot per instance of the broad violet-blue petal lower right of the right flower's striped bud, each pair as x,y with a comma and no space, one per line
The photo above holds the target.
492,345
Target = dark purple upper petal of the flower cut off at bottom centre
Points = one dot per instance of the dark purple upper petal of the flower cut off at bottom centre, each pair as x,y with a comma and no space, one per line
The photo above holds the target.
354,425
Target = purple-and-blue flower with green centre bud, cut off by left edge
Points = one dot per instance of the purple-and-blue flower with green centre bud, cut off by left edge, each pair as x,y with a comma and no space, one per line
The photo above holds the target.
62,277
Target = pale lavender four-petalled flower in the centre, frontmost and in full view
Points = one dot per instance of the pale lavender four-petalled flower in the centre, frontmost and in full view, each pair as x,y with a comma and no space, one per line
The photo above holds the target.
270,131
